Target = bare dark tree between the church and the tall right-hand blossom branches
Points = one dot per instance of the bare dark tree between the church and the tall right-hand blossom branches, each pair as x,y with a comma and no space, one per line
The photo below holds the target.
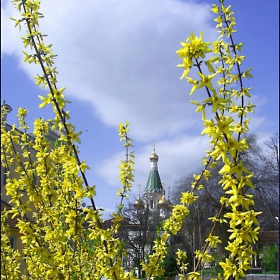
197,223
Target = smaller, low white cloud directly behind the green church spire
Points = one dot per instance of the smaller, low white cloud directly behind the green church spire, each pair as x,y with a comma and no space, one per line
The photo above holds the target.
177,158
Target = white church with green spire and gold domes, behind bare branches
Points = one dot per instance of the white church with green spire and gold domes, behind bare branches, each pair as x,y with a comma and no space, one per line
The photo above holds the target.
143,219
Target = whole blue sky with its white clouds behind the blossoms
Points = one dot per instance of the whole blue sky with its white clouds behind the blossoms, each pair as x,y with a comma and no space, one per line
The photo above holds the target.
117,60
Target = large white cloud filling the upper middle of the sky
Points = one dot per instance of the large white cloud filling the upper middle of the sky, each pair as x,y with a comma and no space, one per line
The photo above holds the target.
120,57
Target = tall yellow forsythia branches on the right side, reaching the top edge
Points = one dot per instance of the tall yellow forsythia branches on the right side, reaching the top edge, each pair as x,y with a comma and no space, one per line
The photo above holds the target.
226,129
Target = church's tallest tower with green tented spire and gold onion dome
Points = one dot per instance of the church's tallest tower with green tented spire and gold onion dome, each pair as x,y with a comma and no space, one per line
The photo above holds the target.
154,190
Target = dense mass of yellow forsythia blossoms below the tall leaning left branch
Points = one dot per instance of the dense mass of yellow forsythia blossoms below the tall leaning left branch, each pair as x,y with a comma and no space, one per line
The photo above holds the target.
61,240
